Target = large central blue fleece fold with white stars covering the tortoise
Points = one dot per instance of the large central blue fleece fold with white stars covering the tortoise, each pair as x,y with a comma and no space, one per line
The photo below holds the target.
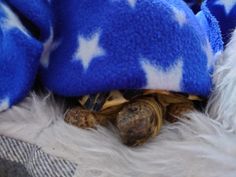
127,44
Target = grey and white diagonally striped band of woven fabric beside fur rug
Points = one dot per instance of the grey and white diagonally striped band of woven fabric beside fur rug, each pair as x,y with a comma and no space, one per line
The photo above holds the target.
33,159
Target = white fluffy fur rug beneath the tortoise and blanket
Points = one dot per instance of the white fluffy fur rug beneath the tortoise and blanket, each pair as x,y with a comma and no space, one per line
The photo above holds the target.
204,146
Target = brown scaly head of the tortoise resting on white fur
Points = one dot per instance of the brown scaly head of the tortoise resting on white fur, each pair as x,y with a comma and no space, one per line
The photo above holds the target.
138,121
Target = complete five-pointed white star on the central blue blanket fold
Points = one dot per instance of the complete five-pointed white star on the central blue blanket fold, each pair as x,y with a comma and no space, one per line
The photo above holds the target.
88,49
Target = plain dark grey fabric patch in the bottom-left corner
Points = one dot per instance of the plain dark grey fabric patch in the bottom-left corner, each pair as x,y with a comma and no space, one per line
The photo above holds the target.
12,169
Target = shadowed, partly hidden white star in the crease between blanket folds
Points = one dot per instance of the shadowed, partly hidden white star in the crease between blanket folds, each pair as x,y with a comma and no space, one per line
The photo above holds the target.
48,47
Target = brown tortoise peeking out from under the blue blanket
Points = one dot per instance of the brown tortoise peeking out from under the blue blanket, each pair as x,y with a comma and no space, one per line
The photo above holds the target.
137,114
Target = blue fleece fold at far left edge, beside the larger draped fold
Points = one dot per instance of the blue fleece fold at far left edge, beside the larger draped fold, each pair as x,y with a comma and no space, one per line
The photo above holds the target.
19,58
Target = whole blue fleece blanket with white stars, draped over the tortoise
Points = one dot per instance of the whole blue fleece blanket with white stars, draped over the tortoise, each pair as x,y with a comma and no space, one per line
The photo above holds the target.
80,47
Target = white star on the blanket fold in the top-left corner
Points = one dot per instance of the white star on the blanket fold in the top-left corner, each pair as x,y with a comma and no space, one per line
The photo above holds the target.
12,21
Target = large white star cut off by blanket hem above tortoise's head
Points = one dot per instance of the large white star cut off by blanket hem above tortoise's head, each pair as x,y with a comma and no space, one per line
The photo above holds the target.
157,78
